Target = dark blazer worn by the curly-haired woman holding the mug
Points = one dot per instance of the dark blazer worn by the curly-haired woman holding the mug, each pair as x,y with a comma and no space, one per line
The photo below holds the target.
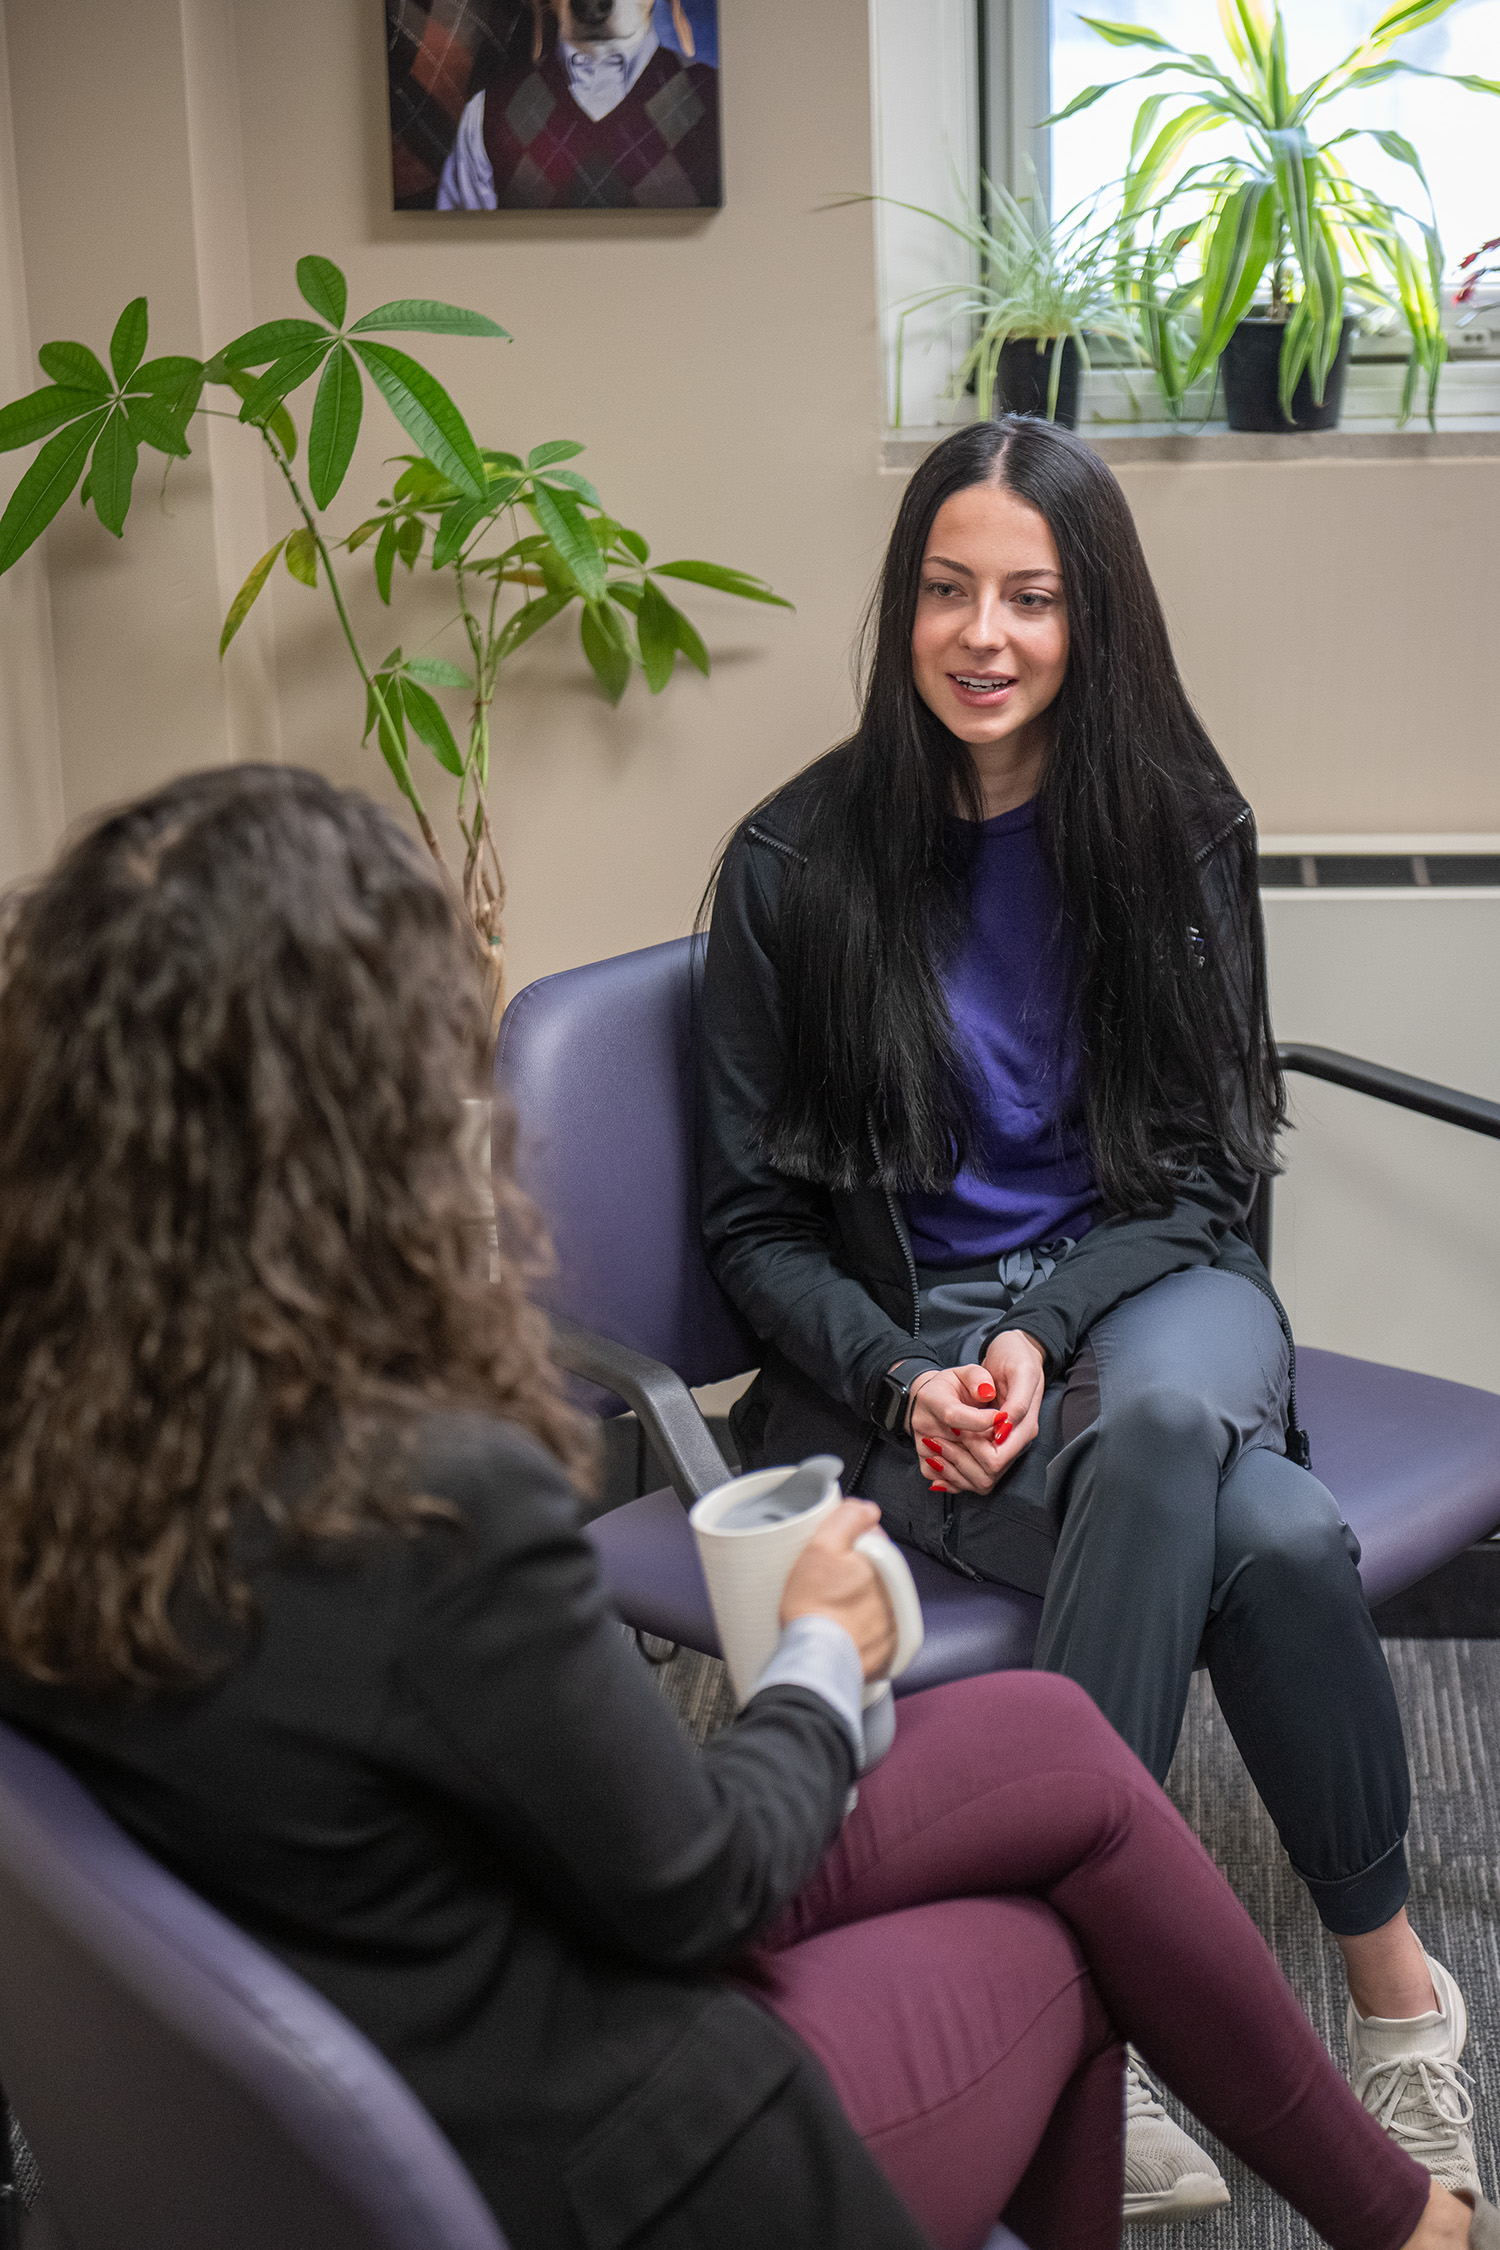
440,1785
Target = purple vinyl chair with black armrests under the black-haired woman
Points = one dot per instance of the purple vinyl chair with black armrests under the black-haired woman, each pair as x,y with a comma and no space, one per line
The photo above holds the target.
599,1068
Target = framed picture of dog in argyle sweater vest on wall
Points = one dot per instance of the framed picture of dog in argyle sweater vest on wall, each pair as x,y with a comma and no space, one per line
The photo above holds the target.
554,105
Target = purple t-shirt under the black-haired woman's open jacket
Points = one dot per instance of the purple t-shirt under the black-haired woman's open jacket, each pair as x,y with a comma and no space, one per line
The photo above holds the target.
1009,998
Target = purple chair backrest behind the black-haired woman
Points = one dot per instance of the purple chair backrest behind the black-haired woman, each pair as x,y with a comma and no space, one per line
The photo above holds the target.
599,1070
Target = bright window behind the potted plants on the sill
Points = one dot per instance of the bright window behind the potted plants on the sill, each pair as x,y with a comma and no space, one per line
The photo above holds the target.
964,84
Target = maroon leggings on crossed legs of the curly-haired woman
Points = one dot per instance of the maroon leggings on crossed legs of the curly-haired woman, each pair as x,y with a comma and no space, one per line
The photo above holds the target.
1011,1900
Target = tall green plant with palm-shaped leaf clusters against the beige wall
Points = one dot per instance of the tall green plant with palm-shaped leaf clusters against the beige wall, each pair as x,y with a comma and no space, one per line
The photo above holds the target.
451,505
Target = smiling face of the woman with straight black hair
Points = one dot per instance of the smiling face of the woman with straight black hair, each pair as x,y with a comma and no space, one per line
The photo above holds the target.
991,640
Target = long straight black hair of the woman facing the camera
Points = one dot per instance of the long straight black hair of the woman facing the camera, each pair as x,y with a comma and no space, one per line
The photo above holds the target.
1173,1029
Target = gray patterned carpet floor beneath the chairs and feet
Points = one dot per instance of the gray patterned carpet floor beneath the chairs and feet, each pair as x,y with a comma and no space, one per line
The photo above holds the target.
1449,1700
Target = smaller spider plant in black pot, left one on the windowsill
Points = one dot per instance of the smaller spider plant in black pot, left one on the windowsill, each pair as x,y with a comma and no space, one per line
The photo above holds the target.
1040,289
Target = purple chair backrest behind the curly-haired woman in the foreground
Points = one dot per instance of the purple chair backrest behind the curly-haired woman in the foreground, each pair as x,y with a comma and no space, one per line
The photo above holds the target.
181,2089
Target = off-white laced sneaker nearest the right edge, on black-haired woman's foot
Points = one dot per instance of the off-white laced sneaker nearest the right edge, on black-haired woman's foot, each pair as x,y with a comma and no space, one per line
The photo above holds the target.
1407,2076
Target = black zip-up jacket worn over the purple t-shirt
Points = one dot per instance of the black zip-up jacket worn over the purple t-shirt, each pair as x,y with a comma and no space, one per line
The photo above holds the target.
824,1277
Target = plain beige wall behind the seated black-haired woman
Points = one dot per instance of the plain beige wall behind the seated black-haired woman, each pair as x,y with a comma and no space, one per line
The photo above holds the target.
723,372
